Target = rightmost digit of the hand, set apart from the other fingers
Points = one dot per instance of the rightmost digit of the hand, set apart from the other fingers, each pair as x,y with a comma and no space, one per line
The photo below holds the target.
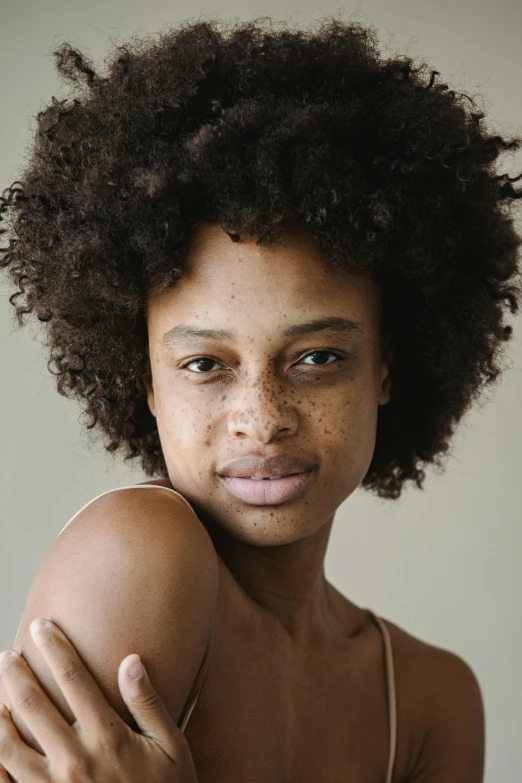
145,704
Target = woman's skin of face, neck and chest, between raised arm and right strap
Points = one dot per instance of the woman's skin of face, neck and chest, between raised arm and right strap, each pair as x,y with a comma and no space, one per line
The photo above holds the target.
318,653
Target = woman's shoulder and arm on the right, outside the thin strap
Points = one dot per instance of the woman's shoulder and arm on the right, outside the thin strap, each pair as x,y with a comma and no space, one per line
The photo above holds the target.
440,707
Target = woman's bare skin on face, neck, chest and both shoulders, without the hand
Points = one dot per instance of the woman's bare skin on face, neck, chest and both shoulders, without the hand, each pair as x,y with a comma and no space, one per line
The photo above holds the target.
295,690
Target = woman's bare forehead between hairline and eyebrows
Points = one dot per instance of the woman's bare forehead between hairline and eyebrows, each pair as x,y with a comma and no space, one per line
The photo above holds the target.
223,278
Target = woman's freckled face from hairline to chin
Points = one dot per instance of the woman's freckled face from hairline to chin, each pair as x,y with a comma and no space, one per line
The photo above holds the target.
261,391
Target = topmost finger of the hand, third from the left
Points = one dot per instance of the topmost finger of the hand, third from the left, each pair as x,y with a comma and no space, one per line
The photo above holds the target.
79,688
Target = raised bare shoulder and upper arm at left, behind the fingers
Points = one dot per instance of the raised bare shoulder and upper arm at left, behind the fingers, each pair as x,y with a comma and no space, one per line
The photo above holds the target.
135,572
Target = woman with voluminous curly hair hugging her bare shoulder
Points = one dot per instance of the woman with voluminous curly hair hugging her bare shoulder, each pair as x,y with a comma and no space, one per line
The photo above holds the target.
275,267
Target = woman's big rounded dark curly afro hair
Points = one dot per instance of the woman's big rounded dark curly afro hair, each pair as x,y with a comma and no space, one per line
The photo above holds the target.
262,128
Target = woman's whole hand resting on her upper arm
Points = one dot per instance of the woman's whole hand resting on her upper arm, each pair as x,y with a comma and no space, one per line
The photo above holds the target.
99,747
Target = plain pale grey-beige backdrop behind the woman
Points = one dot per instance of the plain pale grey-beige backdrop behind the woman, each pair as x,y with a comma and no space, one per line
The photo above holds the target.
443,563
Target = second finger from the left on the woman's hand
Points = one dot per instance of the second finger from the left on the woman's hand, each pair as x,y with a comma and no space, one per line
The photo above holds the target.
29,700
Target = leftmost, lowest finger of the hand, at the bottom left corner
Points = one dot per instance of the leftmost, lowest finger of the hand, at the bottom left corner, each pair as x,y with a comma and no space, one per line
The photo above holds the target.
17,758
